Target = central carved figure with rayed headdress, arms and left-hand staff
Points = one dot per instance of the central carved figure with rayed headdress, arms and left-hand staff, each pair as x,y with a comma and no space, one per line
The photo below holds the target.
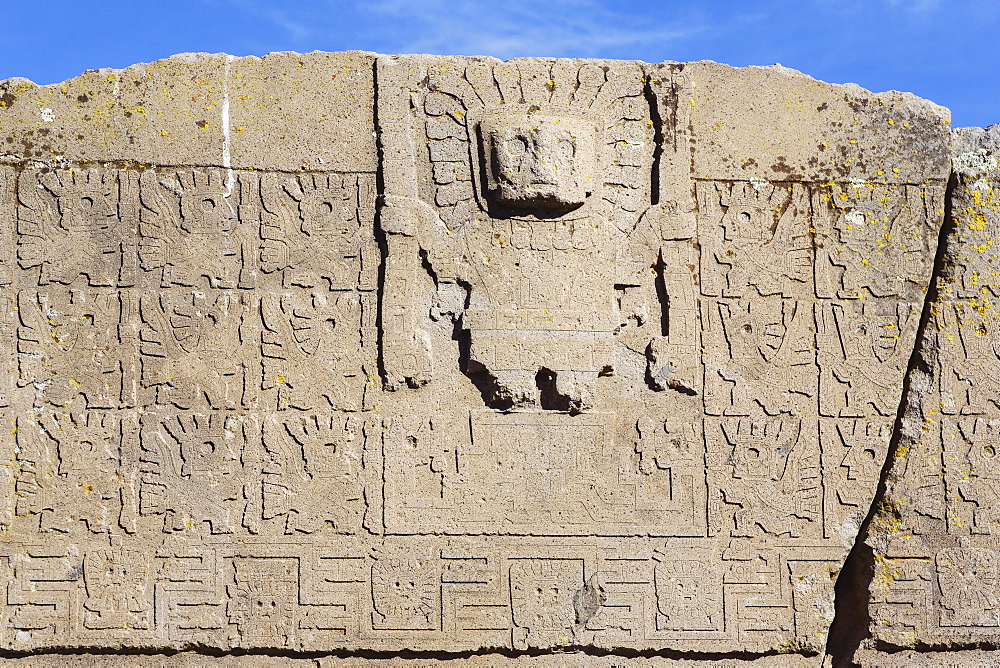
535,212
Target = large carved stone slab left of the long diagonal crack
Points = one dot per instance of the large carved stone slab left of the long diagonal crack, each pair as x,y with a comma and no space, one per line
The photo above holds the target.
583,353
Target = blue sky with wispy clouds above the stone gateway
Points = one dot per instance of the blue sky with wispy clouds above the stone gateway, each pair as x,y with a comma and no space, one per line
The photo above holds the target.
944,50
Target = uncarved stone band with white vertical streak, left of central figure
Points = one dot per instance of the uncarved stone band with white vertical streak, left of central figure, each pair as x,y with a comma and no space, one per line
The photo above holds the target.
282,112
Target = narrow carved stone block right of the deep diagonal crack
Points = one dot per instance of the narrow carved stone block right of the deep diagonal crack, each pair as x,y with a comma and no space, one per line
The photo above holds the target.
934,537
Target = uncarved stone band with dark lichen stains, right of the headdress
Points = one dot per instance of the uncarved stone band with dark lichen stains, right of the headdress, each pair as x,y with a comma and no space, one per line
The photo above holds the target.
749,123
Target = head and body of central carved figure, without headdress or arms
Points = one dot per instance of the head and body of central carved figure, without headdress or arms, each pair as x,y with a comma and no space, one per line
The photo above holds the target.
549,307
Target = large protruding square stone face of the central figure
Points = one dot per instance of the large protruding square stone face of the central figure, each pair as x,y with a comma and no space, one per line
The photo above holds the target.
540,162
